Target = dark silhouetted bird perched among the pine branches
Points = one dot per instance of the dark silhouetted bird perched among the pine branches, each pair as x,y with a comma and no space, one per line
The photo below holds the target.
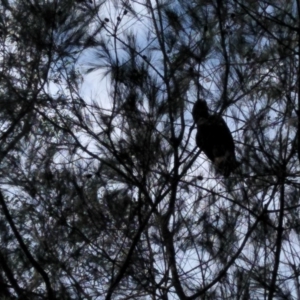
214,139
